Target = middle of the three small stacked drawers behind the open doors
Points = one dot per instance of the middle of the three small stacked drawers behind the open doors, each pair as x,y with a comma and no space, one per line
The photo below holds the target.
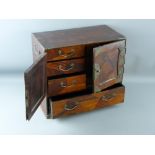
65,67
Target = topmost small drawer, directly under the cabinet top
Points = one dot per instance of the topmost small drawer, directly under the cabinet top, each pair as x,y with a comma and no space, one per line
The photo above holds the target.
66,53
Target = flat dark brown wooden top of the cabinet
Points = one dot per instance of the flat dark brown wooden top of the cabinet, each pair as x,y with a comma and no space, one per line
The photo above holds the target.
77,36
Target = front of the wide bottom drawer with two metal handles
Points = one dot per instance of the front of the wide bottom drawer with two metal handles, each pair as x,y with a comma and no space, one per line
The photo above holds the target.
87,102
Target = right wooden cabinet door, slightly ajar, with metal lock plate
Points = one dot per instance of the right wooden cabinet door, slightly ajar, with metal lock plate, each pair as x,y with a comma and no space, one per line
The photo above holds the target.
108,66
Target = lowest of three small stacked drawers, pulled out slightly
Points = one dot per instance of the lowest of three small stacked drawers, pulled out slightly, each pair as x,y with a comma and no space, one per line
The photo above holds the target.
66,85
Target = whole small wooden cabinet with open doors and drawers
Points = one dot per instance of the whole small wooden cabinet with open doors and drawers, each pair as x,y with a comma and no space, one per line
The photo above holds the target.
75,70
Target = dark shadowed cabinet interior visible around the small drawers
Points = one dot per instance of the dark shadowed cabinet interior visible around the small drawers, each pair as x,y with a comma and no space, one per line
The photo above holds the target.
89,75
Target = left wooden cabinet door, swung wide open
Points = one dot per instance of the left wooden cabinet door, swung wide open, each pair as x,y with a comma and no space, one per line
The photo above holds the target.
35,86
